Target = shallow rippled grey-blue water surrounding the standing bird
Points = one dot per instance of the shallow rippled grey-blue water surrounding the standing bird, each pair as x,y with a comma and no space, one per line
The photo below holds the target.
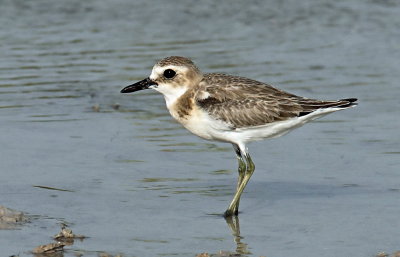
117,169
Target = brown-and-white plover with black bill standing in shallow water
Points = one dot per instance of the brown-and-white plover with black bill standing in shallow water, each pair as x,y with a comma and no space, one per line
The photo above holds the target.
231,109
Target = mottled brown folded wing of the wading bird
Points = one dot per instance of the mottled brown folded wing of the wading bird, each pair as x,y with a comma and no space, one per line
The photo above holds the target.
243,102
